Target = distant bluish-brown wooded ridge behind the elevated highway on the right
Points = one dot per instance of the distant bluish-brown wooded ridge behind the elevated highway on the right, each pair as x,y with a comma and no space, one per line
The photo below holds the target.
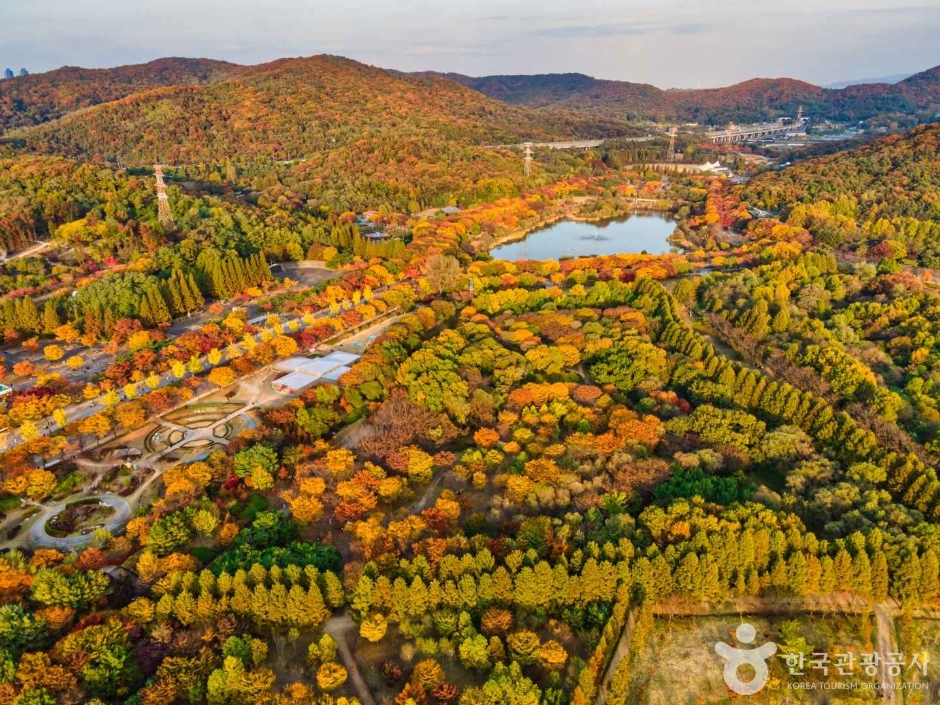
917,97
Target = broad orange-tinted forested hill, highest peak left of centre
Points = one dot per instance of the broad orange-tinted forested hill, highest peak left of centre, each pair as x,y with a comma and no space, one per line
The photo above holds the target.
295,108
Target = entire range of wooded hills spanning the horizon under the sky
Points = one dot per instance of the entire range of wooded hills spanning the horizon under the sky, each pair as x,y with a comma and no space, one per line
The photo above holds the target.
200,110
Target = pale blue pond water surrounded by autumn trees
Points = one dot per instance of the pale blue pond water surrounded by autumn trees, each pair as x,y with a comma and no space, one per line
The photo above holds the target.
643,232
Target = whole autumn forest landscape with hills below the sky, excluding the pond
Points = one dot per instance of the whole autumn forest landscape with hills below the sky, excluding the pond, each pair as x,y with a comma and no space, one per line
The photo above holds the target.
276,426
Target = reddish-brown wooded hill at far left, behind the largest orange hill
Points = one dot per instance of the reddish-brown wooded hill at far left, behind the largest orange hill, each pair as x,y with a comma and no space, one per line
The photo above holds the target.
37,98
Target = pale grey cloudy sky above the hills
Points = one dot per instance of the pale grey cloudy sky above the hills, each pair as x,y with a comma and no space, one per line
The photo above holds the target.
669,43
